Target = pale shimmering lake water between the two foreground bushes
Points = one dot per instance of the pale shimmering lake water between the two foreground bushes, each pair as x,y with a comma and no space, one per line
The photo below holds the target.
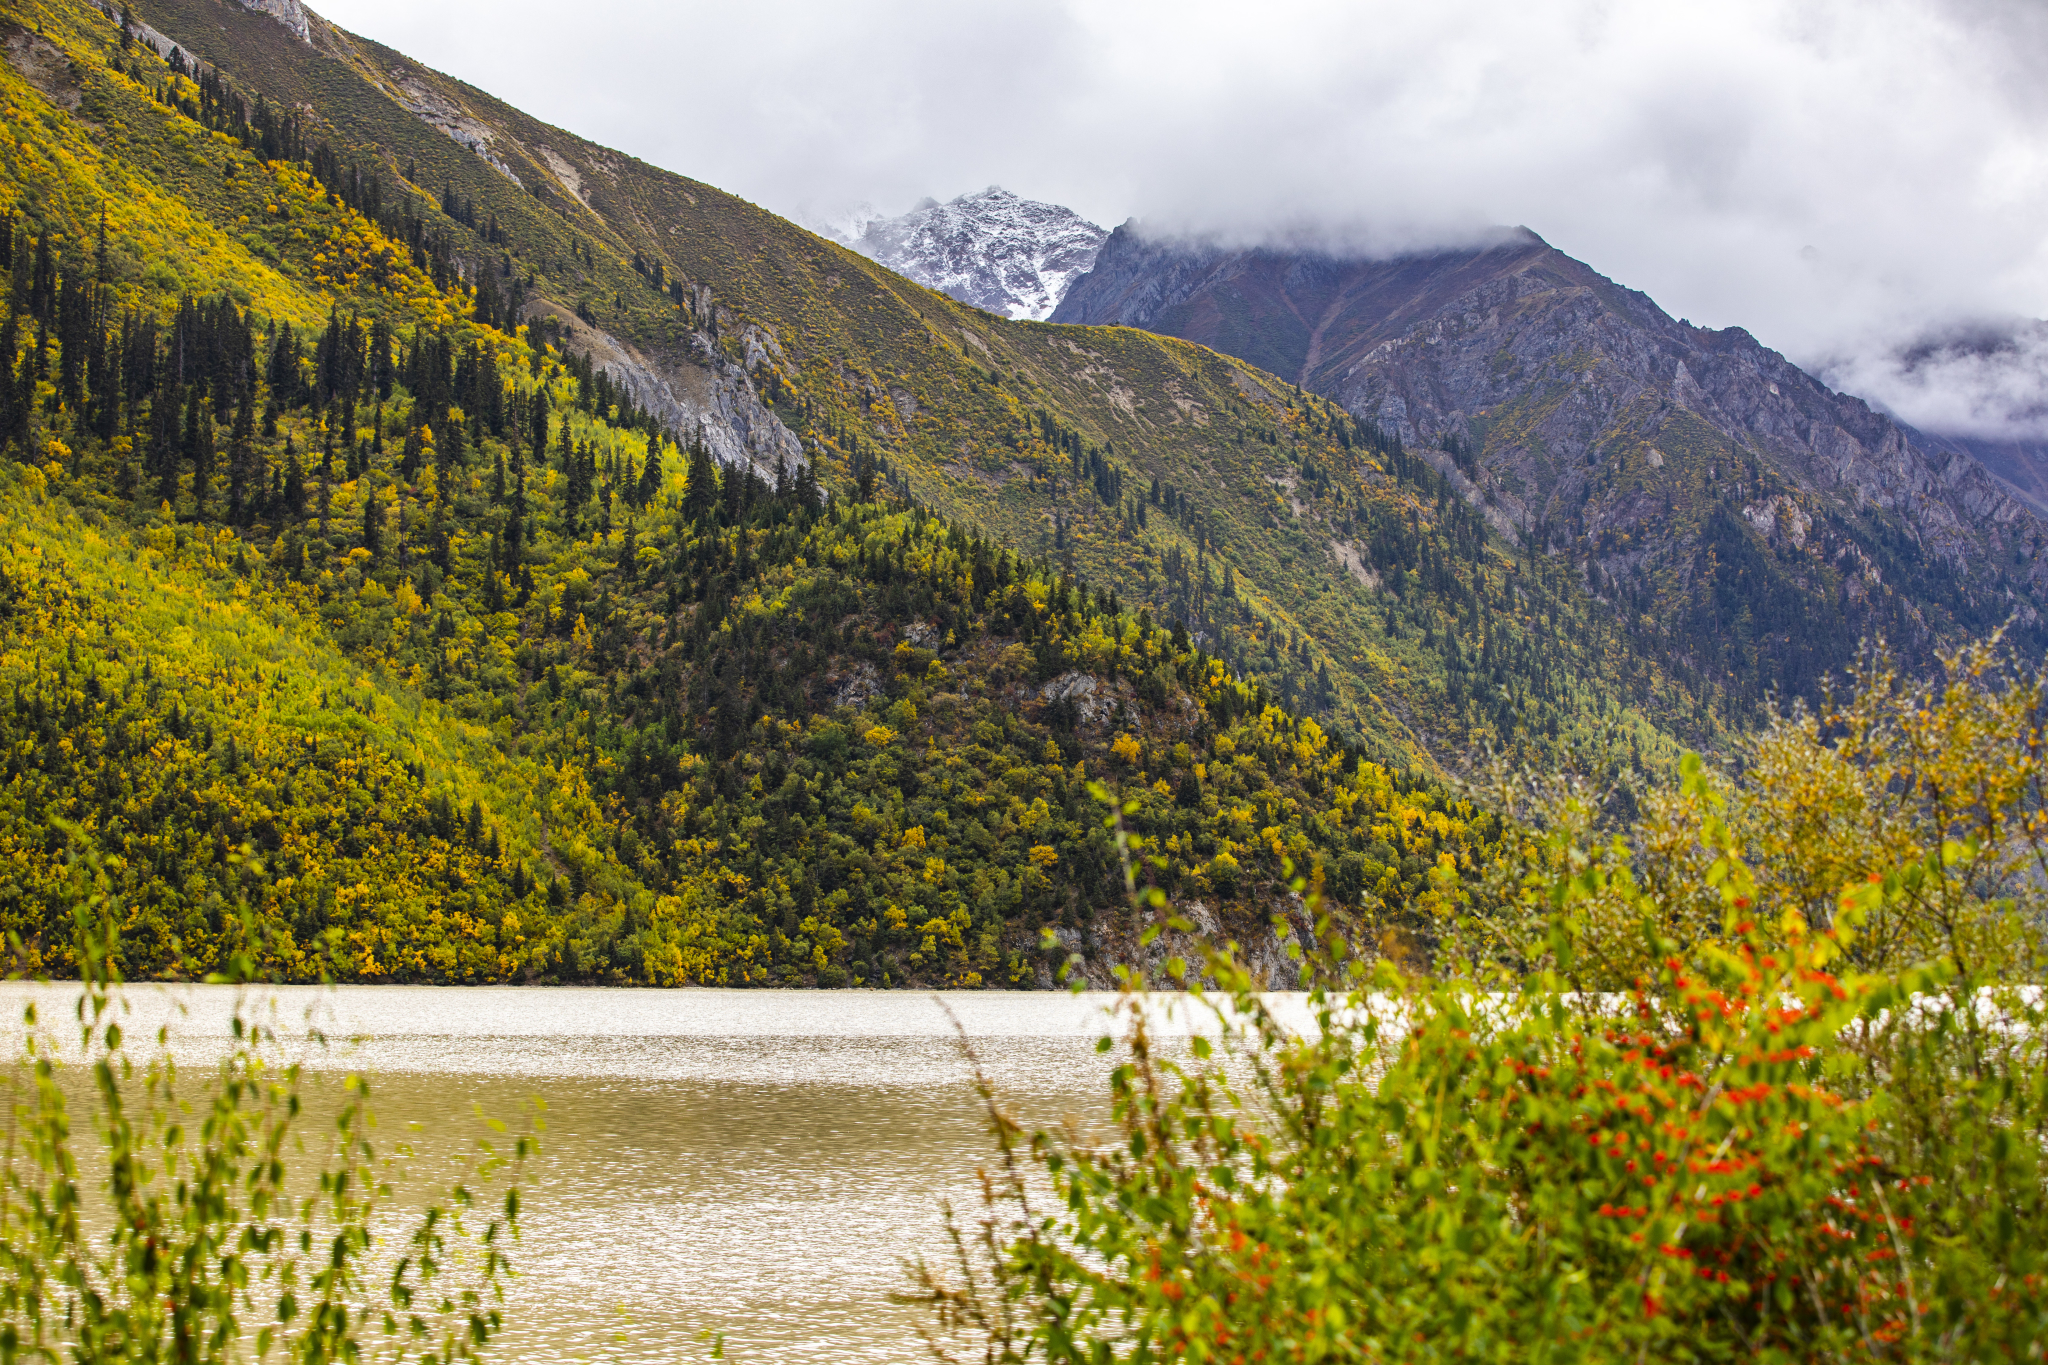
742,1161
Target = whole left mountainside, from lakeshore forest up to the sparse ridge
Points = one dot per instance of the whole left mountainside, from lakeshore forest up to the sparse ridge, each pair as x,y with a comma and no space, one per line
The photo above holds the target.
445,549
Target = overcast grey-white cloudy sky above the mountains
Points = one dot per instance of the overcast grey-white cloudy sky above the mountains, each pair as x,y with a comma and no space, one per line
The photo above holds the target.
1840,177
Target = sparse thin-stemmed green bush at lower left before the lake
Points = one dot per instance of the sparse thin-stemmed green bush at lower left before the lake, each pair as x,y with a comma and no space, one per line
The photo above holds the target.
179,1221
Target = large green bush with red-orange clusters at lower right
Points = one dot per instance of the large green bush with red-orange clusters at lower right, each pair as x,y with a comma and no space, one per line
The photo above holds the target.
1684,1110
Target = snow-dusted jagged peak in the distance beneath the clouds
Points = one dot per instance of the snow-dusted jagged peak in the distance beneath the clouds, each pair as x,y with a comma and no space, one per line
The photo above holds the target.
994,251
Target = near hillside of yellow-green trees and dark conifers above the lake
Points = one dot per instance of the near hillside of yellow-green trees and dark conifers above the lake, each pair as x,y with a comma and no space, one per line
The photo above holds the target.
349,611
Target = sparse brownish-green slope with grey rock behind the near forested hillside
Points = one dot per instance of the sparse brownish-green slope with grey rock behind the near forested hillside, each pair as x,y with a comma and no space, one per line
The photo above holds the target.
720,320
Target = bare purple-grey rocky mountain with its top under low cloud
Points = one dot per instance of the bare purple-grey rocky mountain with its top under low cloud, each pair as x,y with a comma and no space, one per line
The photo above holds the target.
1752,523
